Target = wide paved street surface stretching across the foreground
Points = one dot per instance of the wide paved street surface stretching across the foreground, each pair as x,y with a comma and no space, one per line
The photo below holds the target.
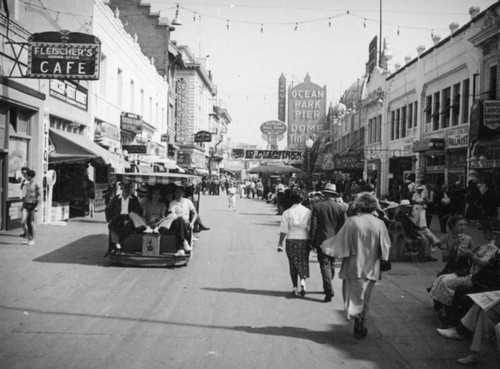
63,306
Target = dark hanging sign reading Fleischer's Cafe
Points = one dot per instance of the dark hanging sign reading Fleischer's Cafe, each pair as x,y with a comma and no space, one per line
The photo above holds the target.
65,55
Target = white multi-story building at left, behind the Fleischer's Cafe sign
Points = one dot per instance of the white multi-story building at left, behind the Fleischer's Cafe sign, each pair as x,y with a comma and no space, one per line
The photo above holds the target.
56,121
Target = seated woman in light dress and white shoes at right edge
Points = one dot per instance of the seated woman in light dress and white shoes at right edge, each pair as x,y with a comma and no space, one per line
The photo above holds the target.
444,287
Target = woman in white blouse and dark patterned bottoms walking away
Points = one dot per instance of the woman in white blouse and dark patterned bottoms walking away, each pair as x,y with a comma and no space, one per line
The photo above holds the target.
294,226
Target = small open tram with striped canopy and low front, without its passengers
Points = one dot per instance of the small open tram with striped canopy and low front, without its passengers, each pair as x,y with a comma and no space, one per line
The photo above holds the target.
153,249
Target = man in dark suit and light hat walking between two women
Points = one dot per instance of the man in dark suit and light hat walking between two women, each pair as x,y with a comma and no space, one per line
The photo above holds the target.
328,216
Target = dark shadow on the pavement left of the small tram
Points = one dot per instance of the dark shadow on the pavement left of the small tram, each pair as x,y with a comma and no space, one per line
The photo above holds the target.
88,250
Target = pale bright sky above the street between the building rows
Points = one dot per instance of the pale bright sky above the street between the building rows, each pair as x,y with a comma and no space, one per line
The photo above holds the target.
250,43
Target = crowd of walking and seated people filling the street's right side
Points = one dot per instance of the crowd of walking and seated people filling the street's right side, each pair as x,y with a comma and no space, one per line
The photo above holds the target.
364,233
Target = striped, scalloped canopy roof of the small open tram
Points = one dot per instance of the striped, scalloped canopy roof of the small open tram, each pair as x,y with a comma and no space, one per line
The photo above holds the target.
156,178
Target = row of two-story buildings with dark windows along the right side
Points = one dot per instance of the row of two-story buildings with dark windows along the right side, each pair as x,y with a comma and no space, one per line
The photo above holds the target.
433,119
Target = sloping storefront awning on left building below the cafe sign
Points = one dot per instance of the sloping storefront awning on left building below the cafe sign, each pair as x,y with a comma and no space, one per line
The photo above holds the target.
71,148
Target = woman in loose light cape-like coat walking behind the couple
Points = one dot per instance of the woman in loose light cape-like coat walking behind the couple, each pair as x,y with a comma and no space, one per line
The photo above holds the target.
361,243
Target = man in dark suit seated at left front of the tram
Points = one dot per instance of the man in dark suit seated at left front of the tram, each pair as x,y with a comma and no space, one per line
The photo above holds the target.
118,215
